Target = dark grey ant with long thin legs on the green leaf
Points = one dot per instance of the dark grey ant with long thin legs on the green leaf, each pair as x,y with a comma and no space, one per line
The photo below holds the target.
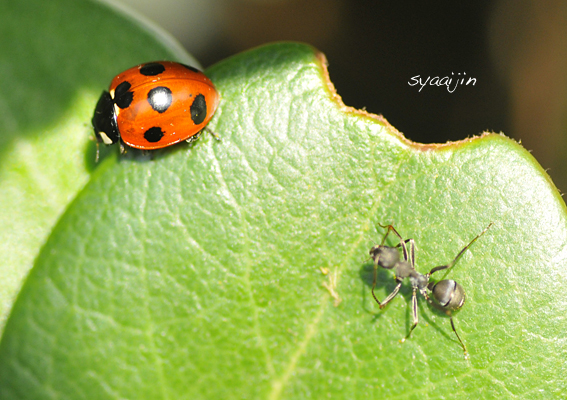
448,294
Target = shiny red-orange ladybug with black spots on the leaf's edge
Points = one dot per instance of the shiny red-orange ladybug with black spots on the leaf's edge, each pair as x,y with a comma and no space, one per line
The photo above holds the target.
154,105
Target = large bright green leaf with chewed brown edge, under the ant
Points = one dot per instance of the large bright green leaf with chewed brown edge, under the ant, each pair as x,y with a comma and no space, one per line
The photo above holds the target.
236,269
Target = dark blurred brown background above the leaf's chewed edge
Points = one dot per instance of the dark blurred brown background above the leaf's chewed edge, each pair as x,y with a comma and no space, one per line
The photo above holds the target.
516,50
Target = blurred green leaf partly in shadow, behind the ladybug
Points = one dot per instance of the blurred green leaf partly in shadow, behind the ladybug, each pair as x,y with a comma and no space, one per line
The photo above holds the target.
55,58
